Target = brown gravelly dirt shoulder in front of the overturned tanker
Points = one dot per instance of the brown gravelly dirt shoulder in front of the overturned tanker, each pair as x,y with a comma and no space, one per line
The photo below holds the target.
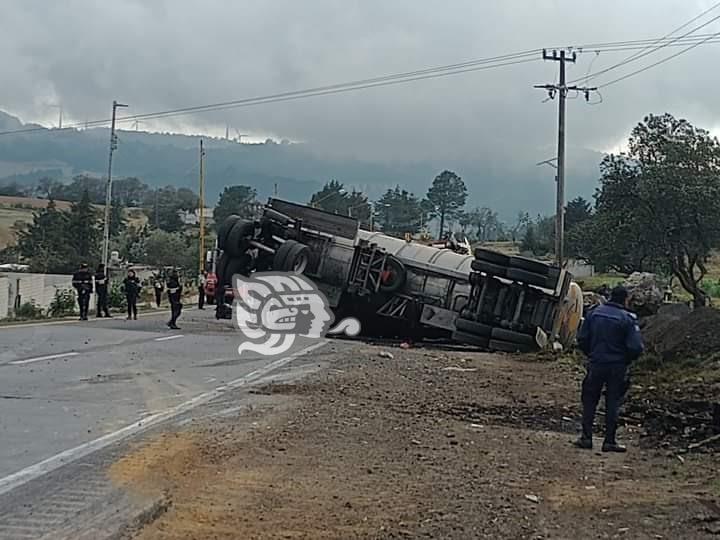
428,444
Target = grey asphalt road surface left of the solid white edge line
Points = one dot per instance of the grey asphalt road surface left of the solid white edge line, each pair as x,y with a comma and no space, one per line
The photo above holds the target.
64,385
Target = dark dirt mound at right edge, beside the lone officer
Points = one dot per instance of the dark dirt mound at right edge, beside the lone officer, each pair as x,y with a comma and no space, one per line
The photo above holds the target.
676,334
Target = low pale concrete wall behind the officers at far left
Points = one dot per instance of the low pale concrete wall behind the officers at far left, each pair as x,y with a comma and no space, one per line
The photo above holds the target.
20,287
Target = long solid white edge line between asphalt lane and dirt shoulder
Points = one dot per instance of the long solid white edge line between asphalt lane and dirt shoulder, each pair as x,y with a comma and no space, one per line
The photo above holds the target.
32,472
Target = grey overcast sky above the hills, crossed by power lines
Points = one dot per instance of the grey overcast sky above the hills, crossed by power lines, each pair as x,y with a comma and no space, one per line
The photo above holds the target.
160,54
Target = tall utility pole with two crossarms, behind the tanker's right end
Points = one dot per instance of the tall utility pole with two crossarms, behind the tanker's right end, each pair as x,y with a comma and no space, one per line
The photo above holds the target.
561,89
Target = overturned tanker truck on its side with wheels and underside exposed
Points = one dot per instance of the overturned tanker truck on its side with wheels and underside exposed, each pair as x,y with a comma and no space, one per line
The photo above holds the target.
399,288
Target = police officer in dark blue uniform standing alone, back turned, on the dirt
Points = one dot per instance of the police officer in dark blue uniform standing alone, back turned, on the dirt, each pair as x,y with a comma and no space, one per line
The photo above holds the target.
610,338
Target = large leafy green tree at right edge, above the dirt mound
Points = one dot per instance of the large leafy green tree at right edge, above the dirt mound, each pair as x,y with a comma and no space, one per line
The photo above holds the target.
661,199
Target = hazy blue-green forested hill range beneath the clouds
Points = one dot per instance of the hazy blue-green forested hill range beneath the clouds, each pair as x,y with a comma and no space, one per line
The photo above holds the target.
298,169
